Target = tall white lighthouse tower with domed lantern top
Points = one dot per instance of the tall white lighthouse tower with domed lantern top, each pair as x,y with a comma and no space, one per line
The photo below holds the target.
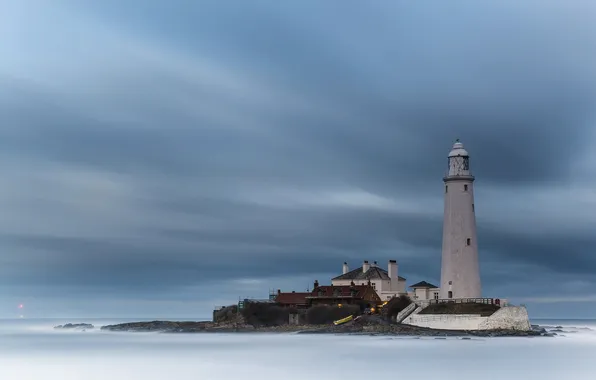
460,273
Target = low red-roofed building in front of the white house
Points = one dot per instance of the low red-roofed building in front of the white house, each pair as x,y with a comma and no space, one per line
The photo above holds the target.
343,295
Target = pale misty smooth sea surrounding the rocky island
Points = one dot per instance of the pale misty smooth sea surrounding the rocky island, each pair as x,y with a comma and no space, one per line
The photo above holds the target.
33,349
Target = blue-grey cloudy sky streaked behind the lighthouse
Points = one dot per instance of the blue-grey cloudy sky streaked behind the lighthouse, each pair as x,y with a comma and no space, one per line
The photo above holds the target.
160,158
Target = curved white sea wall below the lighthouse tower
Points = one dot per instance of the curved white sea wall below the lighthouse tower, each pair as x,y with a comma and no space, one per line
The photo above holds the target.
506,318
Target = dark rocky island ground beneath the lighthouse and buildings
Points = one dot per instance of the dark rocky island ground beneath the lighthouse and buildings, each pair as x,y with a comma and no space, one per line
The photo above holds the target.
268,318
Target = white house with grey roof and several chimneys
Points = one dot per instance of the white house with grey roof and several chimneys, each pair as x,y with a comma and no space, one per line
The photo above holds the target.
386,282
